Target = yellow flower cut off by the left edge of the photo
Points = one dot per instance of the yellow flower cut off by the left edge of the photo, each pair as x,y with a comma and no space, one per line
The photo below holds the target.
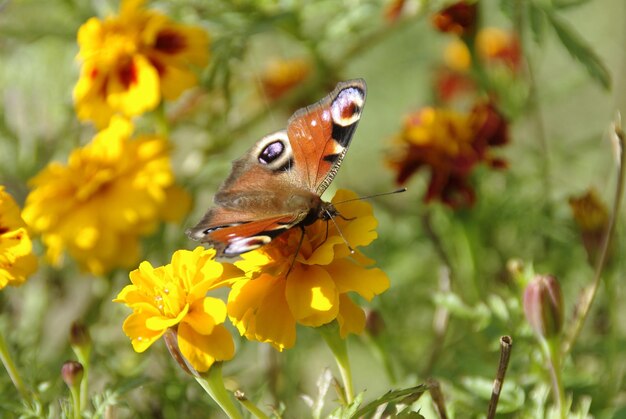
16,259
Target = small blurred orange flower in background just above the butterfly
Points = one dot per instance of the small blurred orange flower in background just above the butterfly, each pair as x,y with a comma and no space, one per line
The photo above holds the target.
280,76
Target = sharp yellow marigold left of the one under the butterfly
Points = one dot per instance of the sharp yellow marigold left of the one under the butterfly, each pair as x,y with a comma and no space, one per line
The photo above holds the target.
174,297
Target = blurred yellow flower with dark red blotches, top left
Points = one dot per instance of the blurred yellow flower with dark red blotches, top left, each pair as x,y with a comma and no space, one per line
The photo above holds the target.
131,61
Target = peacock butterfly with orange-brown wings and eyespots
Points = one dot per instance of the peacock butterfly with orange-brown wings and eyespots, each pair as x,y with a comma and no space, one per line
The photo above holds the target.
278,183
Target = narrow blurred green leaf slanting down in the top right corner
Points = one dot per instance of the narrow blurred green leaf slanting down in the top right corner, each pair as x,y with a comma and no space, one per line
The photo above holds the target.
579,49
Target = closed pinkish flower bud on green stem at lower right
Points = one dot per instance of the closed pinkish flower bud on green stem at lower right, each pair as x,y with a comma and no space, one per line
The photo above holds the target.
543,305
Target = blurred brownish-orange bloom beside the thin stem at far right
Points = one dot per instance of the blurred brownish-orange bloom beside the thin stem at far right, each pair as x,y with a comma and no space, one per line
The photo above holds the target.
592,218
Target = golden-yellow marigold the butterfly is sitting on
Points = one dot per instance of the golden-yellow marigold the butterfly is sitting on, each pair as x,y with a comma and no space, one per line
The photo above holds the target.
271,300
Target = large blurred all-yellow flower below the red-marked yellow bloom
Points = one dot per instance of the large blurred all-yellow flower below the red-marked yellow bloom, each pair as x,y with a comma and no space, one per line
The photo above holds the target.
110,193
